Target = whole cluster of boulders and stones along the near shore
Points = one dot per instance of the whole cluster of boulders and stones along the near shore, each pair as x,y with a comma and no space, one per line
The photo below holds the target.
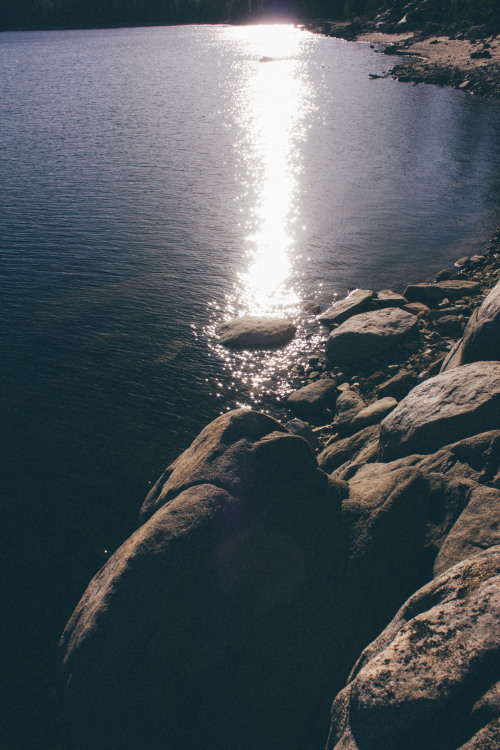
331,581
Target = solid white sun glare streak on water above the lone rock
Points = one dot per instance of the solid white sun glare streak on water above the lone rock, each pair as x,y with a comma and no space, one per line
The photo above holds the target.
275,96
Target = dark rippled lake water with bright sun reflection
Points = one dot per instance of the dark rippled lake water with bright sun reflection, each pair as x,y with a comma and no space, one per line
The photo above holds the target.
157,181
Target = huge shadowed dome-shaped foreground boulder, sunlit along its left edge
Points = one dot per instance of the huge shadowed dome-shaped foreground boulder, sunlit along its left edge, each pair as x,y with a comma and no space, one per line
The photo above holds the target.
187,635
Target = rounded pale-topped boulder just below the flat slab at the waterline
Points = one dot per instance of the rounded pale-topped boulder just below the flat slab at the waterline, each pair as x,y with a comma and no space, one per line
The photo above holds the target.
368,334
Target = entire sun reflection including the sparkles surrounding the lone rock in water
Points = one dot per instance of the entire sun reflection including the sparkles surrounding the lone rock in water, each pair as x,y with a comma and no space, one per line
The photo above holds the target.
270,110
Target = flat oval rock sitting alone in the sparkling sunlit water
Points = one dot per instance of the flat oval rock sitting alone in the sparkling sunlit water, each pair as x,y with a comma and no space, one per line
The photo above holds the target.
248,332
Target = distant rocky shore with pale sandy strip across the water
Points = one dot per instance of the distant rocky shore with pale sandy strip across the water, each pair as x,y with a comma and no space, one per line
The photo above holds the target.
461,56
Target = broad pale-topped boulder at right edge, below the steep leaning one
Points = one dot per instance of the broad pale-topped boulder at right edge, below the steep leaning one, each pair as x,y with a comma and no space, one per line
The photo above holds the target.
453,405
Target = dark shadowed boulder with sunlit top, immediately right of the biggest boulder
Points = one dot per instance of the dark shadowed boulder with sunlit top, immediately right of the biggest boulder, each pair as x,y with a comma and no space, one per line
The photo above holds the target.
384,522
